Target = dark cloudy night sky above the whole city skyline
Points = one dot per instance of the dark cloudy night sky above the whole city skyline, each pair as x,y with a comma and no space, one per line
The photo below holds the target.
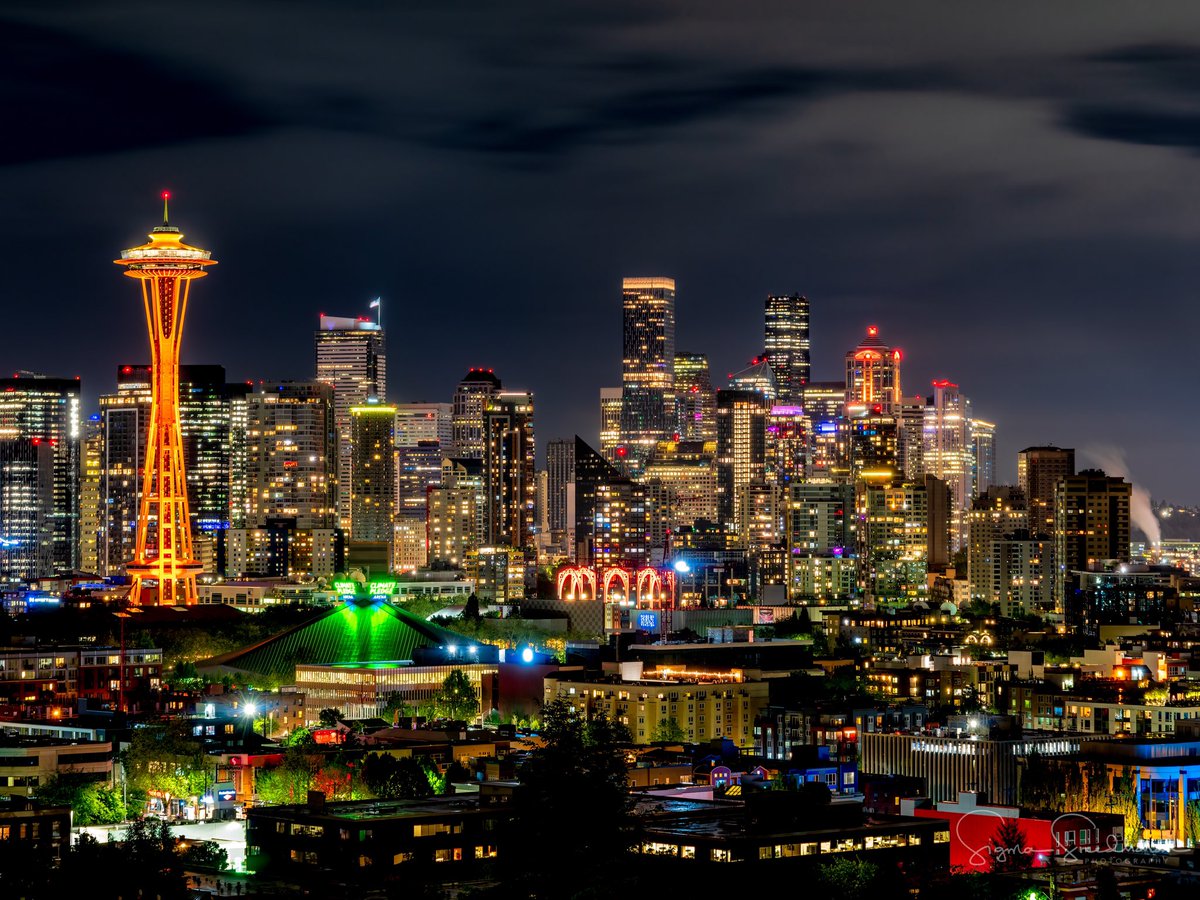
1010,191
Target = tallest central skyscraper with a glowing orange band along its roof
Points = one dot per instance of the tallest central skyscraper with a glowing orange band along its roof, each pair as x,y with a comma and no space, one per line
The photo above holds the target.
647,411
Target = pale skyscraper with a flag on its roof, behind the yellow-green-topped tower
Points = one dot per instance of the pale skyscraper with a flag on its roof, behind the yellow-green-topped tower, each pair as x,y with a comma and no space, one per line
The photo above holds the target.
352,361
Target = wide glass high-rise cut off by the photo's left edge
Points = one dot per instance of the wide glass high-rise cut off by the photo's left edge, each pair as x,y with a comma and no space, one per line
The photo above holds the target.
34,407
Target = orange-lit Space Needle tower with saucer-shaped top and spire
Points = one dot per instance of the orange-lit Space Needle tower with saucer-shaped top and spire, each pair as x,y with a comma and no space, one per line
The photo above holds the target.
164,566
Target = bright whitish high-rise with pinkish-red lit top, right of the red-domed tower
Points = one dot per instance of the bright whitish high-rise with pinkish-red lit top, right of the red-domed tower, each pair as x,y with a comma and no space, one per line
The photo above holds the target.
949,452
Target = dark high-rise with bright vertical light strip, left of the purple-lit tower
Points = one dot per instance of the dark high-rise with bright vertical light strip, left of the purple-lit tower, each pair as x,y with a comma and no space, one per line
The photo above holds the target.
741,452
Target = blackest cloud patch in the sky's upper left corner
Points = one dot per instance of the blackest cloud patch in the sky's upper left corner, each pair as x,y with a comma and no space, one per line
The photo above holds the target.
65,97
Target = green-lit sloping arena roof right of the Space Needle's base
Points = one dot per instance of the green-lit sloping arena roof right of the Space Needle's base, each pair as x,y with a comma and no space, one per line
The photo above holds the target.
355,633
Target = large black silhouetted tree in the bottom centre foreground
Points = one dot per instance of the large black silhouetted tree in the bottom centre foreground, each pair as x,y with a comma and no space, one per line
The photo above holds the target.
579,767
